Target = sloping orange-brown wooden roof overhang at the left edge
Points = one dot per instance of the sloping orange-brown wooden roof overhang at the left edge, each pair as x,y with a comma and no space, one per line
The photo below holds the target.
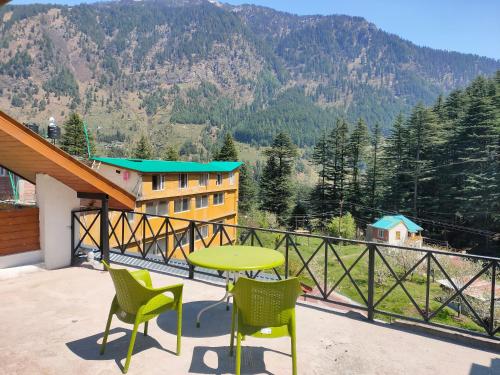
27,154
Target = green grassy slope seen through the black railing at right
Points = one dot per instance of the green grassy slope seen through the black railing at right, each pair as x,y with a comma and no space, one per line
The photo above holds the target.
396,302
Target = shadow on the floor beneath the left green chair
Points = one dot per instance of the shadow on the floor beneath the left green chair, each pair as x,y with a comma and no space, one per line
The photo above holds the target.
88,348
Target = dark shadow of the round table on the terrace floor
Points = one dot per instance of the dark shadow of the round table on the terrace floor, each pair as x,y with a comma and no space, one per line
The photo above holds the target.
214,322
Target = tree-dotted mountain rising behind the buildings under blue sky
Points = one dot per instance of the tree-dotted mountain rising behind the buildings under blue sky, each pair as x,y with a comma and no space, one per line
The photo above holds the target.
246,69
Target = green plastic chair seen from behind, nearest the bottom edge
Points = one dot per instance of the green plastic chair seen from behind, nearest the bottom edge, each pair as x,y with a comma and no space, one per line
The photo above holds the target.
265,310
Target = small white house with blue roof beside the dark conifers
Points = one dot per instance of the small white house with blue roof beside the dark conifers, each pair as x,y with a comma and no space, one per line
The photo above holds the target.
395,230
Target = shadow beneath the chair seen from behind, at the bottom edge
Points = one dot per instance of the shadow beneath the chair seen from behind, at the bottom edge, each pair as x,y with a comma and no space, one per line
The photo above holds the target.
252,360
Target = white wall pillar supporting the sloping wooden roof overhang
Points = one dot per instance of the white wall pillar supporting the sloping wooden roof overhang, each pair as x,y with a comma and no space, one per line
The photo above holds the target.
55,202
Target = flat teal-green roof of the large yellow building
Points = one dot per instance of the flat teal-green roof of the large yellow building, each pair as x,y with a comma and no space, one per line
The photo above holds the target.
164,166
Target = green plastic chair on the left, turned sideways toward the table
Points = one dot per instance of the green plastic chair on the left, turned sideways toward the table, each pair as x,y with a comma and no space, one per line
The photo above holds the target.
136,302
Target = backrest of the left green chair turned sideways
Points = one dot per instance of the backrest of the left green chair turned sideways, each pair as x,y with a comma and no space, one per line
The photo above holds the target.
130,293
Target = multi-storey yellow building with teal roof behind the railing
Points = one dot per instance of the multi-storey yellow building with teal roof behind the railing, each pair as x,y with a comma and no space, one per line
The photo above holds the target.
179,190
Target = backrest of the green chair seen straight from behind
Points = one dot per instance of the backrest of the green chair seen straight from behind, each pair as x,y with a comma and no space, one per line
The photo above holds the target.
266,304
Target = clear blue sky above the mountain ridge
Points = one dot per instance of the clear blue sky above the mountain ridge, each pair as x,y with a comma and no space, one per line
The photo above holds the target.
470,26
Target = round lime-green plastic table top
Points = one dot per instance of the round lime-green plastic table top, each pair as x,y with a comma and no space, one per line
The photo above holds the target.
236,258
